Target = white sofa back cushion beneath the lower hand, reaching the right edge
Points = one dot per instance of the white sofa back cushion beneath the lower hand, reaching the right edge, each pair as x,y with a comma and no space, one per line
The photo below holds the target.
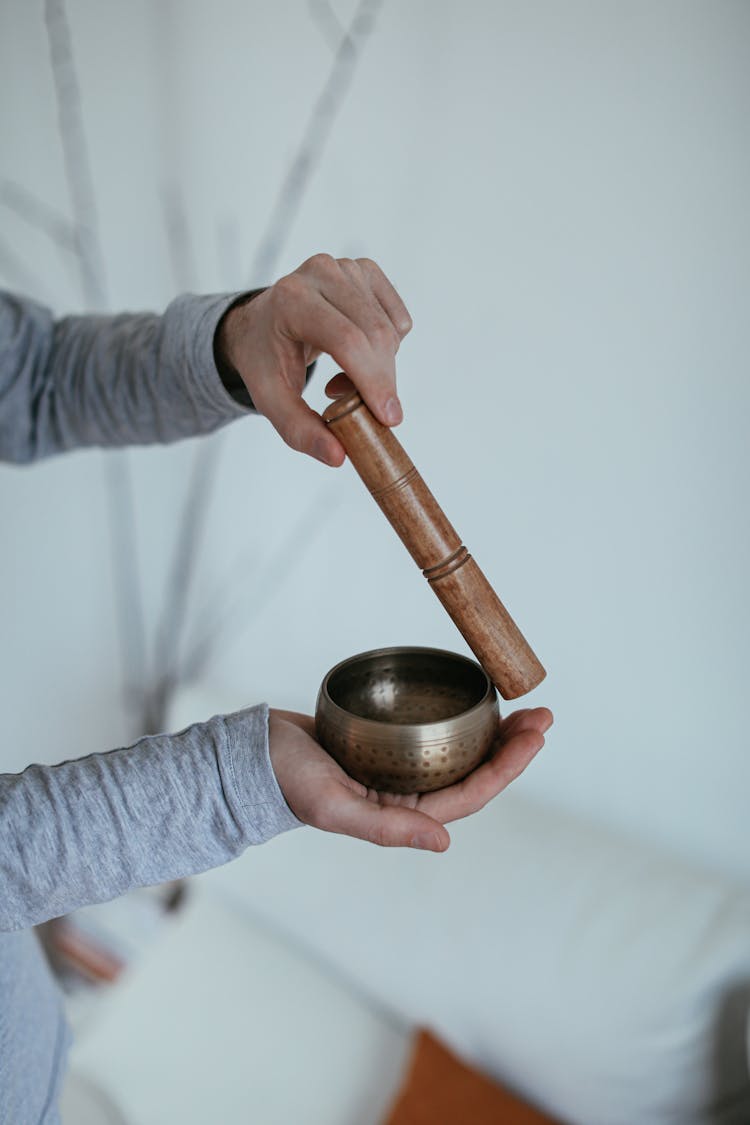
602,978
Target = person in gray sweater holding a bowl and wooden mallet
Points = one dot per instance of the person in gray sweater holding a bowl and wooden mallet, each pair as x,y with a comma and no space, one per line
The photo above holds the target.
89,830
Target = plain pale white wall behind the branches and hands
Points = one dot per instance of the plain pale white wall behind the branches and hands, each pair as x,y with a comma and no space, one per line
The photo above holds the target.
561,194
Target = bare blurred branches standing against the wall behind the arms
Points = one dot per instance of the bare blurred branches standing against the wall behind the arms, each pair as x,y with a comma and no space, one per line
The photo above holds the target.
155,696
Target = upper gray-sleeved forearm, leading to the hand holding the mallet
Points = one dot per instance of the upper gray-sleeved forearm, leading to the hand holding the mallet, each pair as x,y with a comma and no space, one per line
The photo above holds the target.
109,381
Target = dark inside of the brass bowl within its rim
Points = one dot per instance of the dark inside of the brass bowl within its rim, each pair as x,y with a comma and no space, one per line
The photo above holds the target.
408,686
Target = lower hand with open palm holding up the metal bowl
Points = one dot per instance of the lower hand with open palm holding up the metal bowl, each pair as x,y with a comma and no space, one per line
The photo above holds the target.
321,794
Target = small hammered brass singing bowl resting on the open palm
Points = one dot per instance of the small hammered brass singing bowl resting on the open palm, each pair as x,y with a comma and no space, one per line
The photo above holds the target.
408,721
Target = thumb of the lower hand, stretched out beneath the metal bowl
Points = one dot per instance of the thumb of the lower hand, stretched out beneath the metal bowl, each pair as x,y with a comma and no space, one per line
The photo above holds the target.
387,826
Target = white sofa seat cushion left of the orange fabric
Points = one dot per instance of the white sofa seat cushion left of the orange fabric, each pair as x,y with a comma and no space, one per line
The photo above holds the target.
223,1022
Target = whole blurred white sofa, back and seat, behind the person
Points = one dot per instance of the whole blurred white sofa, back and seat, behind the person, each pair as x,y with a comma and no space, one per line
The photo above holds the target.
603,979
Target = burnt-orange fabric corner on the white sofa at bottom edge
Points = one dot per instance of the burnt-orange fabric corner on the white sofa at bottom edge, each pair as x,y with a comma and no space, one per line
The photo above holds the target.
440,1090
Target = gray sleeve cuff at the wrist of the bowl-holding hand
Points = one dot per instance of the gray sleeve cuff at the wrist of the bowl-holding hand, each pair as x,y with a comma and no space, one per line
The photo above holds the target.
251,786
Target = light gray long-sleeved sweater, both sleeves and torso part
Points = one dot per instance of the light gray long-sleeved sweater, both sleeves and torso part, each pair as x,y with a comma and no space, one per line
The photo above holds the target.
91,830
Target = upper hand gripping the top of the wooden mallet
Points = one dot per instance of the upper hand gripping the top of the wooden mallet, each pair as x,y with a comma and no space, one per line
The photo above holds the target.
347,309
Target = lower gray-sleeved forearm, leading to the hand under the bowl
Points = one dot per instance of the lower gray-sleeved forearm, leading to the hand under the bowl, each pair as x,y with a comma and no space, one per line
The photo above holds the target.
170,806
